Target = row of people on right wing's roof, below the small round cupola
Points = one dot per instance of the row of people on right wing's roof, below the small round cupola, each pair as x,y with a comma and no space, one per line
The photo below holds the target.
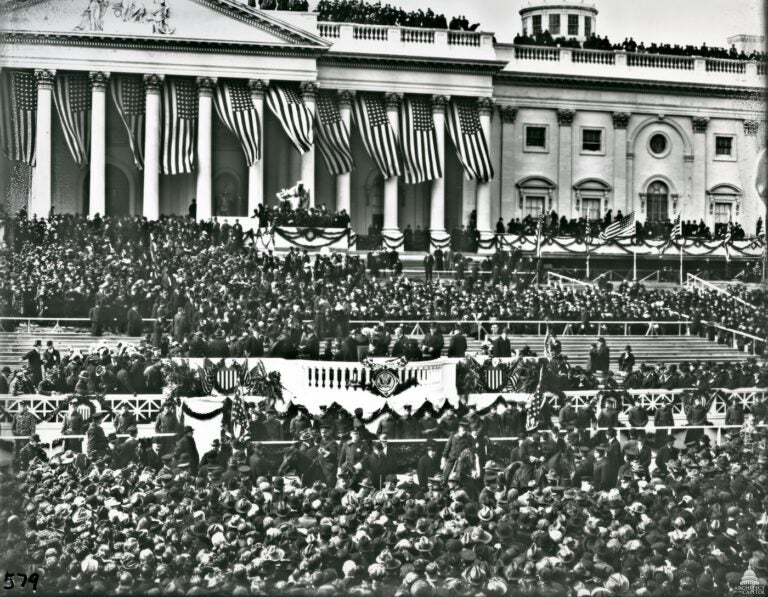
596,42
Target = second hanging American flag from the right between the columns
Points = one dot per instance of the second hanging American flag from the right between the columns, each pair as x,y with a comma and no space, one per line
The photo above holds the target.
419,140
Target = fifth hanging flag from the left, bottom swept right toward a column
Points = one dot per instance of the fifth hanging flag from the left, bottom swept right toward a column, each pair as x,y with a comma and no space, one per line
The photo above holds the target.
235,108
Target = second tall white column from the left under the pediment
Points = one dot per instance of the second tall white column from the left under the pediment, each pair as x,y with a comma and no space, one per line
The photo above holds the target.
98,160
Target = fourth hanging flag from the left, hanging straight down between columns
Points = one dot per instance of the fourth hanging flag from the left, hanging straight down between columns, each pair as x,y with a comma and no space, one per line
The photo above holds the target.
179,126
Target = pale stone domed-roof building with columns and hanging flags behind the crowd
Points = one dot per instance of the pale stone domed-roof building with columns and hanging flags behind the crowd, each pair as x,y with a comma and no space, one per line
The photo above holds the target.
567,129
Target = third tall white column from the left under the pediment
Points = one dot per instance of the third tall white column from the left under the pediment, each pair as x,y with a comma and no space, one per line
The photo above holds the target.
152,122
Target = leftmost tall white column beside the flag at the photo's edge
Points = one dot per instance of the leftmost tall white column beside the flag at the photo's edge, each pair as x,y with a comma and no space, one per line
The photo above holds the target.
40,201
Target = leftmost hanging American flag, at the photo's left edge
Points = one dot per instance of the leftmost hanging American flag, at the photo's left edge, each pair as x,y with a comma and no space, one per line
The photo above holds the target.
18,119
